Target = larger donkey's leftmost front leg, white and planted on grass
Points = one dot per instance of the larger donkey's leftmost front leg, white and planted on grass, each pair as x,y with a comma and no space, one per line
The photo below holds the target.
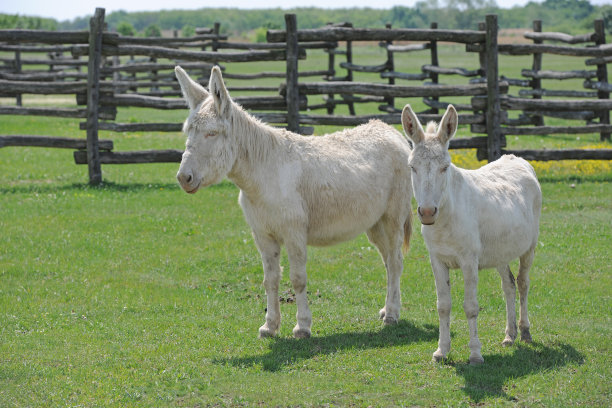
270,255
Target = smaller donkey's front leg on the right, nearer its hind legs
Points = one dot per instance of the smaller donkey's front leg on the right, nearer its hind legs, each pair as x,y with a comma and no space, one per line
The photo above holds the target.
470,306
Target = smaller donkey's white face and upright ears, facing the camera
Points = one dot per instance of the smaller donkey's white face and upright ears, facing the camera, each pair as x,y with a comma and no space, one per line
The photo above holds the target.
429,160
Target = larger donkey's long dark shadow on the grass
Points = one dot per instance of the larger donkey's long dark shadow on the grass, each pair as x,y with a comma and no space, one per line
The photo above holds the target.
287,351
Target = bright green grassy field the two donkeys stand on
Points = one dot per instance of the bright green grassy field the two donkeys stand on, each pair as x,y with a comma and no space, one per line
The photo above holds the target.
137,294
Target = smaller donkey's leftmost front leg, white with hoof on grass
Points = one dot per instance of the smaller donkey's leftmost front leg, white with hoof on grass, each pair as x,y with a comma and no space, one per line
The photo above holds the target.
442,278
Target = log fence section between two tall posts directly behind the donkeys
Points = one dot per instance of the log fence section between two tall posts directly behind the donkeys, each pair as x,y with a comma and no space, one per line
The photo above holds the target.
385,94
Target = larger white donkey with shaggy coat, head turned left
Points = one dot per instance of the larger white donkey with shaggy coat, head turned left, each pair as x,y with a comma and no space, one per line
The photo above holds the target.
298,191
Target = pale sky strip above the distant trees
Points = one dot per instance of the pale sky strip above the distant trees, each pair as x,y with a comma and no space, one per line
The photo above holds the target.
69,9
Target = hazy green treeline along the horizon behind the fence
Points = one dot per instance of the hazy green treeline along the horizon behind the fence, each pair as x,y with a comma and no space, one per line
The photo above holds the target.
557,15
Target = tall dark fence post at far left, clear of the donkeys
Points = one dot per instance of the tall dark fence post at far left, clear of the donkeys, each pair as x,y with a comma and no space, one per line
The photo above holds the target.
96,26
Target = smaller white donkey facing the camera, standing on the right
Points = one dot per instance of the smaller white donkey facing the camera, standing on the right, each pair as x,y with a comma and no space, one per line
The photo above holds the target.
473,219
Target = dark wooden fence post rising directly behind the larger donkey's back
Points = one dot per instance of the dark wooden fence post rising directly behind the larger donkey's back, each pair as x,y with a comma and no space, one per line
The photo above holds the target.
293,96
